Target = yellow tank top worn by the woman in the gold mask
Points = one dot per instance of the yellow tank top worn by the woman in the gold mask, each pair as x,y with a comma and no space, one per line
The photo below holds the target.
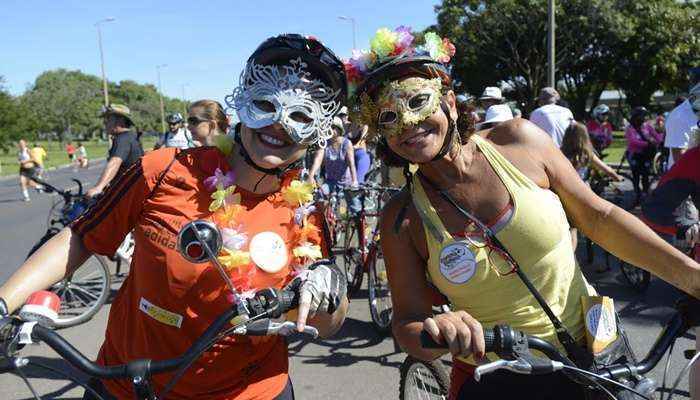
537,237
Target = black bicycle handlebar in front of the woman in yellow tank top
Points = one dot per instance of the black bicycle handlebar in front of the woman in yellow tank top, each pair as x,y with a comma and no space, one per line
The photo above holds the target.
513,348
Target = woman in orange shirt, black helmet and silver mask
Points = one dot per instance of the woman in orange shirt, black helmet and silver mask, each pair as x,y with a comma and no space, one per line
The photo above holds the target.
247,185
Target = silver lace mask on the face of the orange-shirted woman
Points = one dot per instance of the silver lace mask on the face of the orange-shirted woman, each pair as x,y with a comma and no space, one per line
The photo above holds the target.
288,95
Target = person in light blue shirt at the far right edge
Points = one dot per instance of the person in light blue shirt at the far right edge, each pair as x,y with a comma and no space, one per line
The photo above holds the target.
680,123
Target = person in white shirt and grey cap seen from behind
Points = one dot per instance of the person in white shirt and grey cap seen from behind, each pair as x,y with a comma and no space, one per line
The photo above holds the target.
550,117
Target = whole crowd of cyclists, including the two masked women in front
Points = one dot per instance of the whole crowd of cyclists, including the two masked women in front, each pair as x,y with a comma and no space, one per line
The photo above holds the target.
486,218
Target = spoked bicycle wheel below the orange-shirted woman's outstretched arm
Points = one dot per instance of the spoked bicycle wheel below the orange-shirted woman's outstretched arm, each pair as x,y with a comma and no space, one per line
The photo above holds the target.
83,293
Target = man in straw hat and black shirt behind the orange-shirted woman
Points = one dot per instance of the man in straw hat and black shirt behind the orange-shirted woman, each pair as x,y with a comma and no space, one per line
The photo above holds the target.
126,150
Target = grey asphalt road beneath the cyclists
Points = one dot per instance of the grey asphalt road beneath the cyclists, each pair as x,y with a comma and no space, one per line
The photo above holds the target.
356,364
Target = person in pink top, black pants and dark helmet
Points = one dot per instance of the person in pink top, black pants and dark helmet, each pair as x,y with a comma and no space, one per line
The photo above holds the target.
642,144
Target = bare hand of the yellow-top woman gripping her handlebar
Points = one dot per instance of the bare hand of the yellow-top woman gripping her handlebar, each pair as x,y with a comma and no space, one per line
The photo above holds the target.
459,331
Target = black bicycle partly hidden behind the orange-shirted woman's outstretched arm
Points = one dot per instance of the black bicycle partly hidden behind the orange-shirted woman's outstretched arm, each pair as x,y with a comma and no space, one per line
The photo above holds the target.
85,291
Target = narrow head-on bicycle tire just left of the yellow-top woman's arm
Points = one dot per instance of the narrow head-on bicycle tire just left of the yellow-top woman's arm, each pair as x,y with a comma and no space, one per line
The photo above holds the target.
378,291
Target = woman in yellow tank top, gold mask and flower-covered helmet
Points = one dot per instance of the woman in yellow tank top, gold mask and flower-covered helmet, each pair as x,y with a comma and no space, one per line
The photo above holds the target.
510,180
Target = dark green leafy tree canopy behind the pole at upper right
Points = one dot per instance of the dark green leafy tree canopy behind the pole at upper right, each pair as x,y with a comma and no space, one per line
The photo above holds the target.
637,46
